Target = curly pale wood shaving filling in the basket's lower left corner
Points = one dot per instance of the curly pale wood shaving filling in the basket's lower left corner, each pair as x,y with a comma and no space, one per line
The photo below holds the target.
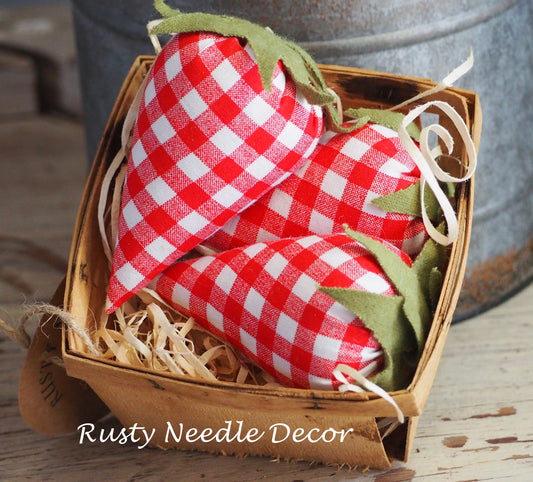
147,333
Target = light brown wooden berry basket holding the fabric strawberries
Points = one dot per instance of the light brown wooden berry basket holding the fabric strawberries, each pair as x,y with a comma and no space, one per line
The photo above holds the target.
345,424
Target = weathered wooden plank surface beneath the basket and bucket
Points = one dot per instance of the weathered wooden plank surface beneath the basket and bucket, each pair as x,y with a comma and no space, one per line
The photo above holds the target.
477,423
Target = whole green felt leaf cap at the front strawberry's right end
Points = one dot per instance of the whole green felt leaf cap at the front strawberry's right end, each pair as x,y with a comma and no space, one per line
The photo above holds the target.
400,323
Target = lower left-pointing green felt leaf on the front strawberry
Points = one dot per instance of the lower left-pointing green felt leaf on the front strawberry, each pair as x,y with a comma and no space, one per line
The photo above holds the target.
384,316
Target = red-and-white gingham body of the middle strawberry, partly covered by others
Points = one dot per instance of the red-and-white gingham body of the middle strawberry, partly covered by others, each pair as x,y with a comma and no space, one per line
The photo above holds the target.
335,186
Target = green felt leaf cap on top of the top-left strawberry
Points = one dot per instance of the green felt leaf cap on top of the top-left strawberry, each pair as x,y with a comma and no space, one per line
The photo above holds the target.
268,48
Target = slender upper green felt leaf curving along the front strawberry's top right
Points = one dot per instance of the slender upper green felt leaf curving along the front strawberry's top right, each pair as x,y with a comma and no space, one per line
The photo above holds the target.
406,283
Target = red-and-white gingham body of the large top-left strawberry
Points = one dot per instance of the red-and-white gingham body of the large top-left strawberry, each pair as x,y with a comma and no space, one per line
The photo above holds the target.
208,141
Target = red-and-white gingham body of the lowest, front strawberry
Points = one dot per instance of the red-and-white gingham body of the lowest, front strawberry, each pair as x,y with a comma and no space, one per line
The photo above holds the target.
264,300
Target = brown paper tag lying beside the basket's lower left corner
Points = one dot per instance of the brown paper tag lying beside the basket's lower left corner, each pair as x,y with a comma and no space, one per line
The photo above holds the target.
50,401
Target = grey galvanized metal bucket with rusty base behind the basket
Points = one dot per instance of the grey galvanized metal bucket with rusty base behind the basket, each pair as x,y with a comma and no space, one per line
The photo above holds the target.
416,38
